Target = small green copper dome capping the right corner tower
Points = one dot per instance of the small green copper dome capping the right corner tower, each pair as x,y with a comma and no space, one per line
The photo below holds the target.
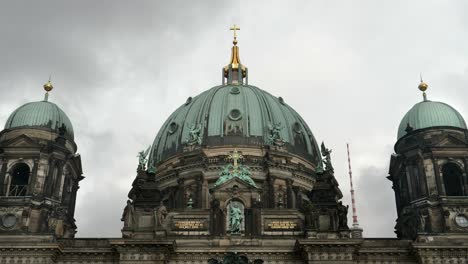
430,114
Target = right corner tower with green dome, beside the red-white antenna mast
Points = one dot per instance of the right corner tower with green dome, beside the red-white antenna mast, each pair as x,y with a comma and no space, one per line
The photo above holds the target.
429,171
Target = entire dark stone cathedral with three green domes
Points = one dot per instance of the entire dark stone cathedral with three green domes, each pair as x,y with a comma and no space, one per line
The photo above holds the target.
234,175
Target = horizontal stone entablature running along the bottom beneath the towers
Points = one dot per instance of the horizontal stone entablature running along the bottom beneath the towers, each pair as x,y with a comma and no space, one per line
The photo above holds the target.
30,249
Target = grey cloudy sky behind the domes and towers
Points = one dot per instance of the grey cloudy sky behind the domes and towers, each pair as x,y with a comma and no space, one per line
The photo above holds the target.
350,68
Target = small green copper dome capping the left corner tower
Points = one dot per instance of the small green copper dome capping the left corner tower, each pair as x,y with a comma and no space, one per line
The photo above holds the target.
42,114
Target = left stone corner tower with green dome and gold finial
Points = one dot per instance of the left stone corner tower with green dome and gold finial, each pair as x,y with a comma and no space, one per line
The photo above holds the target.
39,171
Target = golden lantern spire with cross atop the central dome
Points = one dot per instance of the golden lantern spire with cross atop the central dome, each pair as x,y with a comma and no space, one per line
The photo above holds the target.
235,72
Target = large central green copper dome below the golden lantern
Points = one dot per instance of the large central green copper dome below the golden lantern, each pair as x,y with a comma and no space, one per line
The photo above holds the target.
240,115
